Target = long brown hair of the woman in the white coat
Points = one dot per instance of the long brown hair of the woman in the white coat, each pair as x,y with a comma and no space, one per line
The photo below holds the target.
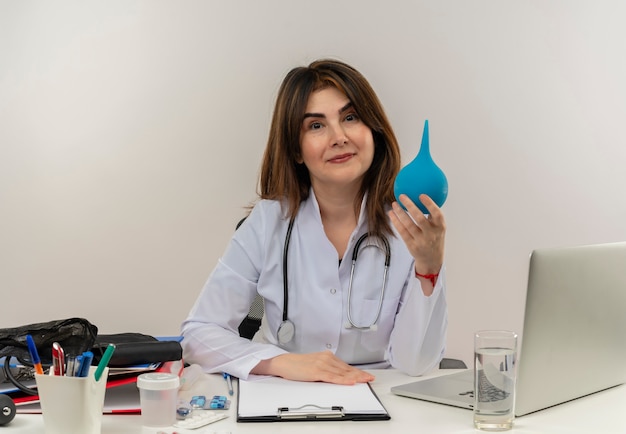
283,178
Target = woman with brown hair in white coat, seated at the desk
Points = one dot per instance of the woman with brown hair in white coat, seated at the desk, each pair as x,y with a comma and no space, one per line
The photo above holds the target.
326,196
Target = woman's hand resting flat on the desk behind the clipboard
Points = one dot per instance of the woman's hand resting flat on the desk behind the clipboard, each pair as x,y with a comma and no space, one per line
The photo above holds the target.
323,366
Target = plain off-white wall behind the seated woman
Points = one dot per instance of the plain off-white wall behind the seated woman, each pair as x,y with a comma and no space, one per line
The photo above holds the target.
131,135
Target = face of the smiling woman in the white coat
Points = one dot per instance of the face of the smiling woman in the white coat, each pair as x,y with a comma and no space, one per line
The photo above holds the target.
336,146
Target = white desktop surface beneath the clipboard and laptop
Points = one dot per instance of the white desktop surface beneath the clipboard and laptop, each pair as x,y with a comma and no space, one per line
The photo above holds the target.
598,413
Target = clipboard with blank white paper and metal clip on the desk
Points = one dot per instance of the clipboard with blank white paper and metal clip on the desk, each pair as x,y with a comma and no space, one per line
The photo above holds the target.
274,399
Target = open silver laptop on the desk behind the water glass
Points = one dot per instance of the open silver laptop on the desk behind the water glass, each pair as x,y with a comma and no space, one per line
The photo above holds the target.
574,338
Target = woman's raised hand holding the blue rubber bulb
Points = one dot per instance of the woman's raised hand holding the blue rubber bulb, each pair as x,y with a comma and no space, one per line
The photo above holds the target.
424,235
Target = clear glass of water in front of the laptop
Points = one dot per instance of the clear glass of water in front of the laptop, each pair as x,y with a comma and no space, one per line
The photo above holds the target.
495,367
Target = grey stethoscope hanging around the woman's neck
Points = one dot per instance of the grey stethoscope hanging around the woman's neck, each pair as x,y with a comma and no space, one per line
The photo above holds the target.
287,329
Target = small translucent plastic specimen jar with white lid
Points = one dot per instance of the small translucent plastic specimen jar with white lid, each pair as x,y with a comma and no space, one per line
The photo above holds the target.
158,394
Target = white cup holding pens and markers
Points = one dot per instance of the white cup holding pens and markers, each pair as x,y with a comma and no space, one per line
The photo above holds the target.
72,405
